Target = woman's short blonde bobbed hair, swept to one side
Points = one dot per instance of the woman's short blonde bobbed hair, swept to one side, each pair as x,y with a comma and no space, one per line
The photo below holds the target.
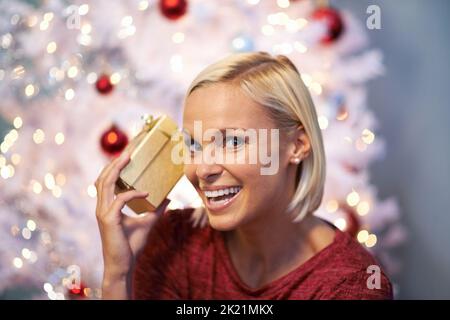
275,83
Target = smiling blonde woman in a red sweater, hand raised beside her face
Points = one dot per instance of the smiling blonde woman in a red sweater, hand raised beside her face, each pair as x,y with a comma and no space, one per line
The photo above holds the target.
262,240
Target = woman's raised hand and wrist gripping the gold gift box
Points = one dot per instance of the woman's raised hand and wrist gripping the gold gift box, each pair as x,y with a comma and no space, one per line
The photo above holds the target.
122,237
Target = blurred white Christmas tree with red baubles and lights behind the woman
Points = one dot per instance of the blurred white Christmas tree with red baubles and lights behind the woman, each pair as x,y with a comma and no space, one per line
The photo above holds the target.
69,72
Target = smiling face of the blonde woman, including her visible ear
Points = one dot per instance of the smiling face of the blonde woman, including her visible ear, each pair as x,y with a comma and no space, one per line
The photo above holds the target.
235,192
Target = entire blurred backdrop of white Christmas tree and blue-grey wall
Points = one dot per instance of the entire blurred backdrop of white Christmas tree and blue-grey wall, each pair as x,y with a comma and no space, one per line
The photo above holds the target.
76,78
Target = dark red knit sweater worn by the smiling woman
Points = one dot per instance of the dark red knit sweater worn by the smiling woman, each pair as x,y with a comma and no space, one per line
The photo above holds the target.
185,262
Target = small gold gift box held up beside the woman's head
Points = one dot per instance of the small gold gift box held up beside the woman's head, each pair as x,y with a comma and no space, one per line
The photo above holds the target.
151,168
